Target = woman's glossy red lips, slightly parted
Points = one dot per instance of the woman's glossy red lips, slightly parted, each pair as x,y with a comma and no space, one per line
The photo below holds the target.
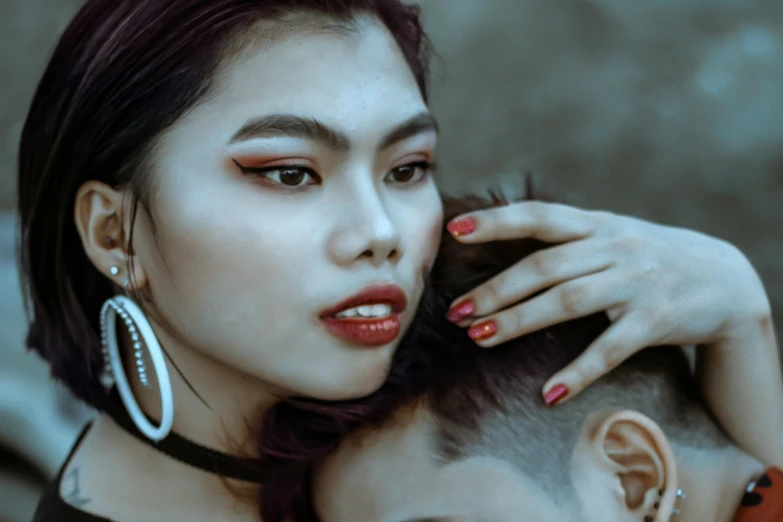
368,331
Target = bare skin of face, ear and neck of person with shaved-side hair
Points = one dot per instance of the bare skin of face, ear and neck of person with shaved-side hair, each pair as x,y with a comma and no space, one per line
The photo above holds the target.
621,462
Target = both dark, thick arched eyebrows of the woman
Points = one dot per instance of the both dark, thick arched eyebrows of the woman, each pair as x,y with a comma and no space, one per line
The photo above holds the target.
314,130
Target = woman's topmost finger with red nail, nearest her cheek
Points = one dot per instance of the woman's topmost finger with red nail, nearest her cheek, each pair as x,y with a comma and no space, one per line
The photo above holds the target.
550,222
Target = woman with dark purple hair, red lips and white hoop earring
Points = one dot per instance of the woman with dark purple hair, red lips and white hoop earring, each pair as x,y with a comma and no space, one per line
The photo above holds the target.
231,205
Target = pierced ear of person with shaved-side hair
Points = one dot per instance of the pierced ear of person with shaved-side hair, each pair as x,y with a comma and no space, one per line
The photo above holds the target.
627,454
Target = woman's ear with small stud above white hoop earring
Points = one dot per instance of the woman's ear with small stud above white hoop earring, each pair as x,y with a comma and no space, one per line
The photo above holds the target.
104,228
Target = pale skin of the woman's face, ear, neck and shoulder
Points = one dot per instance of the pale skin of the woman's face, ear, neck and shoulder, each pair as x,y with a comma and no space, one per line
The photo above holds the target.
240,265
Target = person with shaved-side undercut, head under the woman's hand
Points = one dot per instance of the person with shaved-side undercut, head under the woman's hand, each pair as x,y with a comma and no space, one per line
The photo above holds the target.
468,437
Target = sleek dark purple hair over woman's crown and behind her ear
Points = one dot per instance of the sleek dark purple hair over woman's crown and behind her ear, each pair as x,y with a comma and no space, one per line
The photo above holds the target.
123,72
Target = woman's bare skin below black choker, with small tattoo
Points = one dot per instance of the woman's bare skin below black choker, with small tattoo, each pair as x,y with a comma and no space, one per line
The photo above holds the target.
117,475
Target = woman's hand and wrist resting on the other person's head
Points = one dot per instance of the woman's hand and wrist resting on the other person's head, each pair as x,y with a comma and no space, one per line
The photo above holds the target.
660,285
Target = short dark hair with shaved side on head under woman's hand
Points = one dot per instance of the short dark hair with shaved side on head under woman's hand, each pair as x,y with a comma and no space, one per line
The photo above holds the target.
489,401
